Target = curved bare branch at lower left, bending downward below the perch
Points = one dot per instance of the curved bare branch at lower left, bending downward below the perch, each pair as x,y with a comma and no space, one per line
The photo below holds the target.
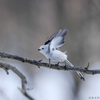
7,67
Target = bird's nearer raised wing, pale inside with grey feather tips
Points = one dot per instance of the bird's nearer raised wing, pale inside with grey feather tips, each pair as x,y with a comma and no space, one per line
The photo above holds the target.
58,40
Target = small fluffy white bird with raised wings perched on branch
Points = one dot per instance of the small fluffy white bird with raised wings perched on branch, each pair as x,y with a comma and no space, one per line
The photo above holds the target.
51,51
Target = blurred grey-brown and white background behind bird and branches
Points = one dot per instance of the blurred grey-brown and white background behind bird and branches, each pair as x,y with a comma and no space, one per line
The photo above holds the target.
24,27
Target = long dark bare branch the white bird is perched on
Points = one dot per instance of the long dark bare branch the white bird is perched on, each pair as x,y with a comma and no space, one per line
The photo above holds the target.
53,66
